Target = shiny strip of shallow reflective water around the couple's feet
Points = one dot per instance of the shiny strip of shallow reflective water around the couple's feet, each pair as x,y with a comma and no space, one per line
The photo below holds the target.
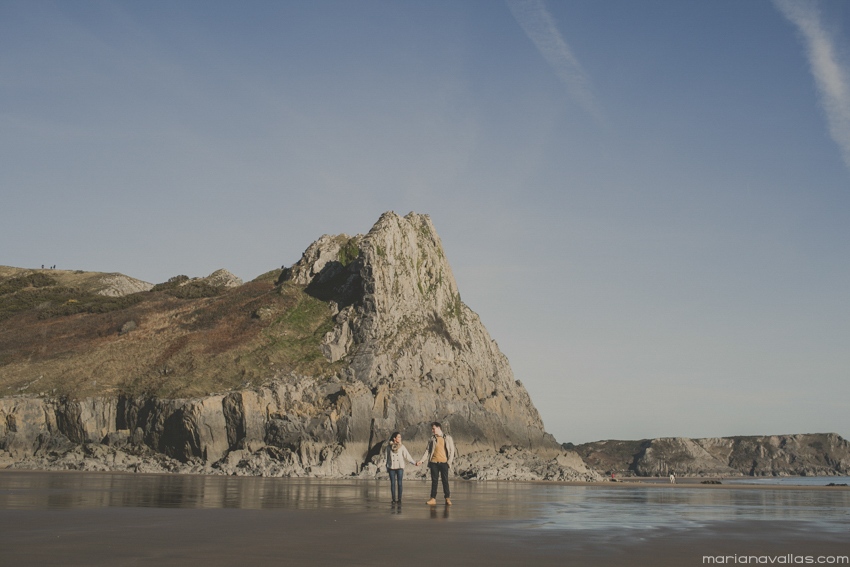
531,506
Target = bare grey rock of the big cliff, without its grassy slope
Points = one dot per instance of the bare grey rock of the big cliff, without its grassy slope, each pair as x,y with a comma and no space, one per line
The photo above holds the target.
408,352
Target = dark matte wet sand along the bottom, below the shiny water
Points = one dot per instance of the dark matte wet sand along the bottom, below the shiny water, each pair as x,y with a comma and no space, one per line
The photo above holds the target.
213,537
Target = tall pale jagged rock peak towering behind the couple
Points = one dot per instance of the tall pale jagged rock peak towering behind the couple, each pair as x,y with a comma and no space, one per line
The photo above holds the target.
402,329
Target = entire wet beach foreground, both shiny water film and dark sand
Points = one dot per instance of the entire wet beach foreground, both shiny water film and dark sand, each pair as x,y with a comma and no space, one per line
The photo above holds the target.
80,519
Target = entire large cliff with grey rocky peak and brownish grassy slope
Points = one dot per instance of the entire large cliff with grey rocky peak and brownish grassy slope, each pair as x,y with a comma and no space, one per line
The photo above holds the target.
315,365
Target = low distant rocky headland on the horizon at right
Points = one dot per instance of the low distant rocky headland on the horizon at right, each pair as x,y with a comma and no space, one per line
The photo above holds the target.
778,455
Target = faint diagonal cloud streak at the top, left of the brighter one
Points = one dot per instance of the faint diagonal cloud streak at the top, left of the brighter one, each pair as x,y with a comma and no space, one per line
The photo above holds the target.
539,26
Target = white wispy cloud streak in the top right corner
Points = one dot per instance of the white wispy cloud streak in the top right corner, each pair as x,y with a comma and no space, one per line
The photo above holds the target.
832,79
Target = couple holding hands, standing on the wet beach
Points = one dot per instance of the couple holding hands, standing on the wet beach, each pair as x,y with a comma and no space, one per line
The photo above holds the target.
439,455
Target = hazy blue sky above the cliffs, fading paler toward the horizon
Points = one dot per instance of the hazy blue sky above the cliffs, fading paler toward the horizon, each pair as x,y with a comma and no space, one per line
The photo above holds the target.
647,203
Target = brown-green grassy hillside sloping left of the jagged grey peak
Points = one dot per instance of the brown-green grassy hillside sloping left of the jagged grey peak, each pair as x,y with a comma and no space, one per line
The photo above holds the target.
181,338
